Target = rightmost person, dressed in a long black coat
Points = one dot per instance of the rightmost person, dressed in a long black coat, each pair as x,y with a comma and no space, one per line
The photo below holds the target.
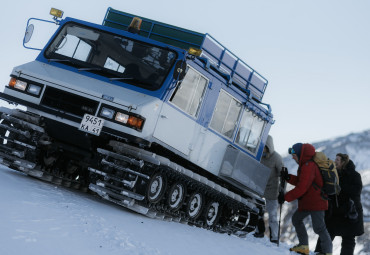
337,218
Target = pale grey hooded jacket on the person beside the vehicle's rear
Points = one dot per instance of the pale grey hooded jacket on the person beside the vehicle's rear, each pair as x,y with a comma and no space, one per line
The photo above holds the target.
272,160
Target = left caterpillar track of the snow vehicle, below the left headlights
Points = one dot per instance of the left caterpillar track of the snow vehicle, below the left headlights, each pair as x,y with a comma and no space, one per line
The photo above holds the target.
27,148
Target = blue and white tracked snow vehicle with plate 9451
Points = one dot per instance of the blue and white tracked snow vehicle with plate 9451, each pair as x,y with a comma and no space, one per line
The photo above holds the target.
159,119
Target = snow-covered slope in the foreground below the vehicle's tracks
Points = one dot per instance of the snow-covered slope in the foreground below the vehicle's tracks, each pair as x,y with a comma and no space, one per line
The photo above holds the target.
41,218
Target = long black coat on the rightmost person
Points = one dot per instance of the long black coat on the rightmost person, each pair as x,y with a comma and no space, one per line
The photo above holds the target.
351,186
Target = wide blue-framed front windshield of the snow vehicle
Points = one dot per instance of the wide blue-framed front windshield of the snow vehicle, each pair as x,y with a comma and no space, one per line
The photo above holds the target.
113,56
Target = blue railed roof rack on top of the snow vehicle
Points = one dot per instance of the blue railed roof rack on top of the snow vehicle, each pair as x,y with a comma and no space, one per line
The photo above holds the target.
245,77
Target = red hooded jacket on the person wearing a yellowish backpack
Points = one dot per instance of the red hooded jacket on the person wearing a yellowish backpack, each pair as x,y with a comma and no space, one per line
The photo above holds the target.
309,197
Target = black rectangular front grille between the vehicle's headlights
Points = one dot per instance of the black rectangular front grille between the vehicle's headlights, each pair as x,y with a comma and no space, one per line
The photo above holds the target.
68,102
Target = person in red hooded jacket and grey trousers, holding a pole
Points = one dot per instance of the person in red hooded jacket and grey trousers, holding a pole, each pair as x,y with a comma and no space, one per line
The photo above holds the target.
310,202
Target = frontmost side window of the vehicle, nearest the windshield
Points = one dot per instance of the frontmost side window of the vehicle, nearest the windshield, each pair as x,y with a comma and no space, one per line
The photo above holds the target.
190,93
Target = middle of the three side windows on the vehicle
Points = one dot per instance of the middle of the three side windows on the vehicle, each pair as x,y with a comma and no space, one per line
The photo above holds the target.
226,115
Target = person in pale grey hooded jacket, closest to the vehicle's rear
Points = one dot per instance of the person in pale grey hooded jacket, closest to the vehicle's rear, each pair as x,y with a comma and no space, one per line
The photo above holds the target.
273,160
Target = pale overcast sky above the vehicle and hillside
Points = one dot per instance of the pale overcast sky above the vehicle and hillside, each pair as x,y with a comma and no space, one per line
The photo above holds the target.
315,54
